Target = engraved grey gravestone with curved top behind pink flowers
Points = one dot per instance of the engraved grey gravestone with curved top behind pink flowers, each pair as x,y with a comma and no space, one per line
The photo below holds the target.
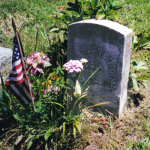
106,45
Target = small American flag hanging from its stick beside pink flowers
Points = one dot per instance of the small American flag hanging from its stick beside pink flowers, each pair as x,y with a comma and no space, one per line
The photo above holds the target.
17,82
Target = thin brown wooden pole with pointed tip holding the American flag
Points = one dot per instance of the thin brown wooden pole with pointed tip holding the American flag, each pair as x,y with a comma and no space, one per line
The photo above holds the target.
23,63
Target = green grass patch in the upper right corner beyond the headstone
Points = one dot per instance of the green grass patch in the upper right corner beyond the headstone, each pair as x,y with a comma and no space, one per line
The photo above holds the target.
137,17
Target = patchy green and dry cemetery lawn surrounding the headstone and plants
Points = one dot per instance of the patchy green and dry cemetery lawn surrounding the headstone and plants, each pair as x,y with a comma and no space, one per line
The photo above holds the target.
132,131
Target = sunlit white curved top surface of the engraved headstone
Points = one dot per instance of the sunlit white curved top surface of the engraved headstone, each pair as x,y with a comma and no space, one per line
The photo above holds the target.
110,24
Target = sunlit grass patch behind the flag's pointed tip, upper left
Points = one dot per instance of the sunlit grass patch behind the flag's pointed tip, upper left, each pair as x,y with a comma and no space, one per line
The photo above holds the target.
28,16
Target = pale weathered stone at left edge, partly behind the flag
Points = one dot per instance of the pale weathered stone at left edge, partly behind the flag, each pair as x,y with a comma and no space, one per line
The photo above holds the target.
5,61
